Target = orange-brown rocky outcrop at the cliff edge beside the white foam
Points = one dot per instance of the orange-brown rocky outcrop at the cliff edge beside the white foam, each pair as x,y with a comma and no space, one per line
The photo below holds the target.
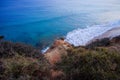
55,52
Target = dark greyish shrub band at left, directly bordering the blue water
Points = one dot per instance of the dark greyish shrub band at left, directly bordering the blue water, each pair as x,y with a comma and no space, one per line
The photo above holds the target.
9,49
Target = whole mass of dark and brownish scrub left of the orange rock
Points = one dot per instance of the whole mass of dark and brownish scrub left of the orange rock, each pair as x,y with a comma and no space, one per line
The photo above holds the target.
22,62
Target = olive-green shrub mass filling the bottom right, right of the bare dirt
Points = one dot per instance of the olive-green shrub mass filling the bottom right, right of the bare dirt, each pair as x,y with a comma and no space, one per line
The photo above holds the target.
100,64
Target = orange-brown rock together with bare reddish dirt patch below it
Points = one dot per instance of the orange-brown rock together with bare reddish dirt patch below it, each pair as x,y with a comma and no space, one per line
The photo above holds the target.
54,55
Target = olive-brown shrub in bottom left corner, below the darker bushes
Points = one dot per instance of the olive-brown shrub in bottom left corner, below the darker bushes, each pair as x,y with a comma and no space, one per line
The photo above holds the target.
24,68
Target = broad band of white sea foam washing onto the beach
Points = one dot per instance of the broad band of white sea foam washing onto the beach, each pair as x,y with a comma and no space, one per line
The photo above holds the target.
80,37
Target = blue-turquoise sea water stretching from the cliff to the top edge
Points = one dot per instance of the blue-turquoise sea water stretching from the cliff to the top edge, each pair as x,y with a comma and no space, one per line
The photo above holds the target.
39,22
